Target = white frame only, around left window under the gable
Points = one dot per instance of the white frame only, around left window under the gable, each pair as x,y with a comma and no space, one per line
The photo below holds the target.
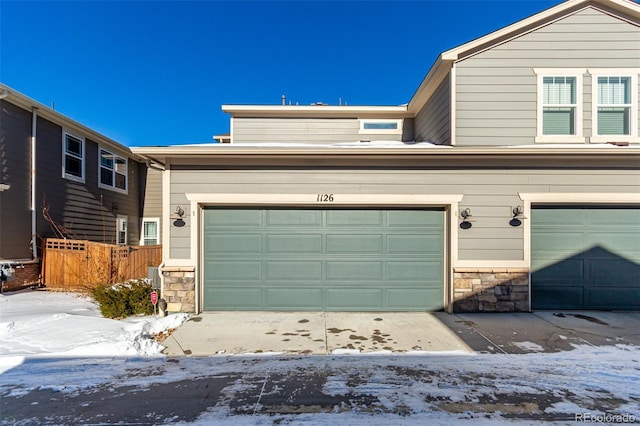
578,74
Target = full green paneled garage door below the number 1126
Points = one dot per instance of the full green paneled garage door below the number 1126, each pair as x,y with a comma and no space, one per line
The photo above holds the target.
315,260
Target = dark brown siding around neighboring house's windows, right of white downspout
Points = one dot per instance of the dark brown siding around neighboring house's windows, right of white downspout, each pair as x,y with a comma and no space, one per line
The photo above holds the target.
87,211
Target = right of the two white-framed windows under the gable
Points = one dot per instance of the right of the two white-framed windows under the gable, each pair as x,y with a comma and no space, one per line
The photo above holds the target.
615,109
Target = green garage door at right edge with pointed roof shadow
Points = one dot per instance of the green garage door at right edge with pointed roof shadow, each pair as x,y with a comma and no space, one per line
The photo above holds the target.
585,258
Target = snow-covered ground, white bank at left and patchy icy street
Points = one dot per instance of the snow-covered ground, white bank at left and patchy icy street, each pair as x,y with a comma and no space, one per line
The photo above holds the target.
56,346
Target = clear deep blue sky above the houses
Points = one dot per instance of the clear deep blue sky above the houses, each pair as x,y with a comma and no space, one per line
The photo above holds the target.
157,73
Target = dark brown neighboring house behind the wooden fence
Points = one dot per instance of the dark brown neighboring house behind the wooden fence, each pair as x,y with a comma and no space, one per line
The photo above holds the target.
58,173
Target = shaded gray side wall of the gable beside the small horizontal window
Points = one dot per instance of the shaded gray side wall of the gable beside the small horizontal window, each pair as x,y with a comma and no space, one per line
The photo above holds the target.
433,122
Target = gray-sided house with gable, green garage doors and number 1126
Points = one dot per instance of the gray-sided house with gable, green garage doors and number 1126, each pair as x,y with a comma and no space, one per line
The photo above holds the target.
509,182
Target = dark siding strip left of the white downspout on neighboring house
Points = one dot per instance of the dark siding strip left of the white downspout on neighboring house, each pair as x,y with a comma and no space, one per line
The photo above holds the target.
15,153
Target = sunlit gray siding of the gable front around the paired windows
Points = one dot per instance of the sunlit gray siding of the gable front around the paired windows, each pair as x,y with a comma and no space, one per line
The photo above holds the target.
496,89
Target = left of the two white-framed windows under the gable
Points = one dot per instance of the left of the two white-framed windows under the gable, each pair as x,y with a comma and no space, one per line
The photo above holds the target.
559,106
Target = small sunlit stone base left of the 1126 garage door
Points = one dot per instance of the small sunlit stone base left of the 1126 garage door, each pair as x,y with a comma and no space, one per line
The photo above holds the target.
179,289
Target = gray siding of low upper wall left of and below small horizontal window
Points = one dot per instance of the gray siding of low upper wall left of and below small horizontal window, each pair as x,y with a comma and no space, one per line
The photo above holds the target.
302,130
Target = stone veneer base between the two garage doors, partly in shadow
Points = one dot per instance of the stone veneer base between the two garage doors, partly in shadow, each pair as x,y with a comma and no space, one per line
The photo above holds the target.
491,290
